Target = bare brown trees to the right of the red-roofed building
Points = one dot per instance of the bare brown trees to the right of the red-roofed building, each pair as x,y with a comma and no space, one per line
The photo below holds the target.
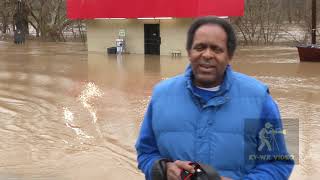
266,20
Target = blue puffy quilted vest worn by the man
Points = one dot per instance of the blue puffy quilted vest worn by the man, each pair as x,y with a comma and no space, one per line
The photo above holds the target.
220,132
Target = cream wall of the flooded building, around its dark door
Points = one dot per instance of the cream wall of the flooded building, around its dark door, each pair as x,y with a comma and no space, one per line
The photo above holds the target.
102,34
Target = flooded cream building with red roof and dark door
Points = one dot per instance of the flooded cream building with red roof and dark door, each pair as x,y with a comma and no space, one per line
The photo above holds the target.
145,26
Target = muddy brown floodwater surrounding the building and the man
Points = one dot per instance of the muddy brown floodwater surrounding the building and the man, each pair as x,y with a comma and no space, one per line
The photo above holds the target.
66,114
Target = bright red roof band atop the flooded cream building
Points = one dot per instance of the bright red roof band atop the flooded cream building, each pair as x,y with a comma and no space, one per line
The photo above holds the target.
89,9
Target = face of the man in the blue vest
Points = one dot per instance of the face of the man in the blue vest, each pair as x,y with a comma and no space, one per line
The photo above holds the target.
209,55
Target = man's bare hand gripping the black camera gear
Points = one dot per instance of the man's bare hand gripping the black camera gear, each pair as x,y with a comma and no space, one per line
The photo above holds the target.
174,169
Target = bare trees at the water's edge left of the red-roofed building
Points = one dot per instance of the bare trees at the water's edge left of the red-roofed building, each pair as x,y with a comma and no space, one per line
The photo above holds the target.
46,17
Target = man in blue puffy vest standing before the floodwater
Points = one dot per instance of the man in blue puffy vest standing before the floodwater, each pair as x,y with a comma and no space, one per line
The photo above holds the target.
211,114
